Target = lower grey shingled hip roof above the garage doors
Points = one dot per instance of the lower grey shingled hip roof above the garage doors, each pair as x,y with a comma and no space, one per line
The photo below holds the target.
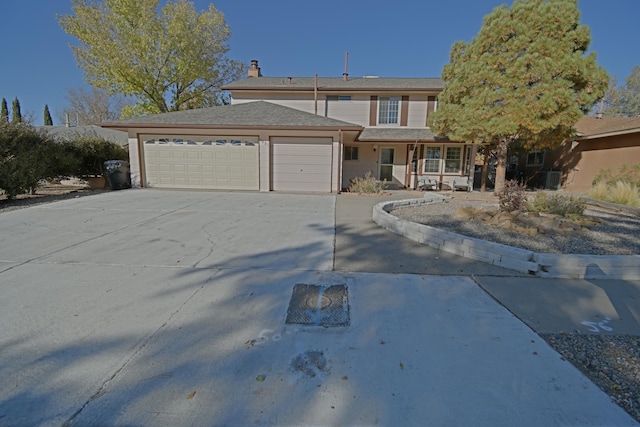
258,114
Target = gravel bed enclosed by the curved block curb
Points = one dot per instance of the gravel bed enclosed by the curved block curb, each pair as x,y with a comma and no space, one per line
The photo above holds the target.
618,234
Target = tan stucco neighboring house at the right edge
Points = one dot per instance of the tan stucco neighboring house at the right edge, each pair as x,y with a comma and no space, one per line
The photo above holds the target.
600,143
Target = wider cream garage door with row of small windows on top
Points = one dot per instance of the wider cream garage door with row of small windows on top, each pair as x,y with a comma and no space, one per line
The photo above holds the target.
220,163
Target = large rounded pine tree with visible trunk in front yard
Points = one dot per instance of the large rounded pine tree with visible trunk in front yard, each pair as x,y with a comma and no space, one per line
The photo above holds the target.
524,77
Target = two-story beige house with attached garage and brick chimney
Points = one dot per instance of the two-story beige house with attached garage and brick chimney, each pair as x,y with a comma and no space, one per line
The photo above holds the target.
299,134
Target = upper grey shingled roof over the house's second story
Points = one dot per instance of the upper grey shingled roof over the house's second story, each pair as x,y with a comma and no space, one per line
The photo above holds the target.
337,83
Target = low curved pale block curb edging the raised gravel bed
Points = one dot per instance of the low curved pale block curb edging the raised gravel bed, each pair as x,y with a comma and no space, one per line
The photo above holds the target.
570,266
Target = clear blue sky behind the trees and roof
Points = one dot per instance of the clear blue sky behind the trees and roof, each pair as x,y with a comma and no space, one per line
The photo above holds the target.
403,38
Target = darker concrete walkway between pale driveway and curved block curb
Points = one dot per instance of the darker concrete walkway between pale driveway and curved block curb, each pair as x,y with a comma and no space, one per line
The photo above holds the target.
546,305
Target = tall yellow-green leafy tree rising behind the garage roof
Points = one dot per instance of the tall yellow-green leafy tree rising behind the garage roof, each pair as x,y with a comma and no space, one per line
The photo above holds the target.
169,59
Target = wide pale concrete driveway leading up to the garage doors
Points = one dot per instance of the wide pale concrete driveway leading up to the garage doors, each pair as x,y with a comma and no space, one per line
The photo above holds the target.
147,307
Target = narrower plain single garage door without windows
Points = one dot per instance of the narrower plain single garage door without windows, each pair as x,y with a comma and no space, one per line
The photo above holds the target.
301,164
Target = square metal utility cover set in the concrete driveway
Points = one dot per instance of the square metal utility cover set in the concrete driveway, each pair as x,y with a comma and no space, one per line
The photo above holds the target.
319,305
